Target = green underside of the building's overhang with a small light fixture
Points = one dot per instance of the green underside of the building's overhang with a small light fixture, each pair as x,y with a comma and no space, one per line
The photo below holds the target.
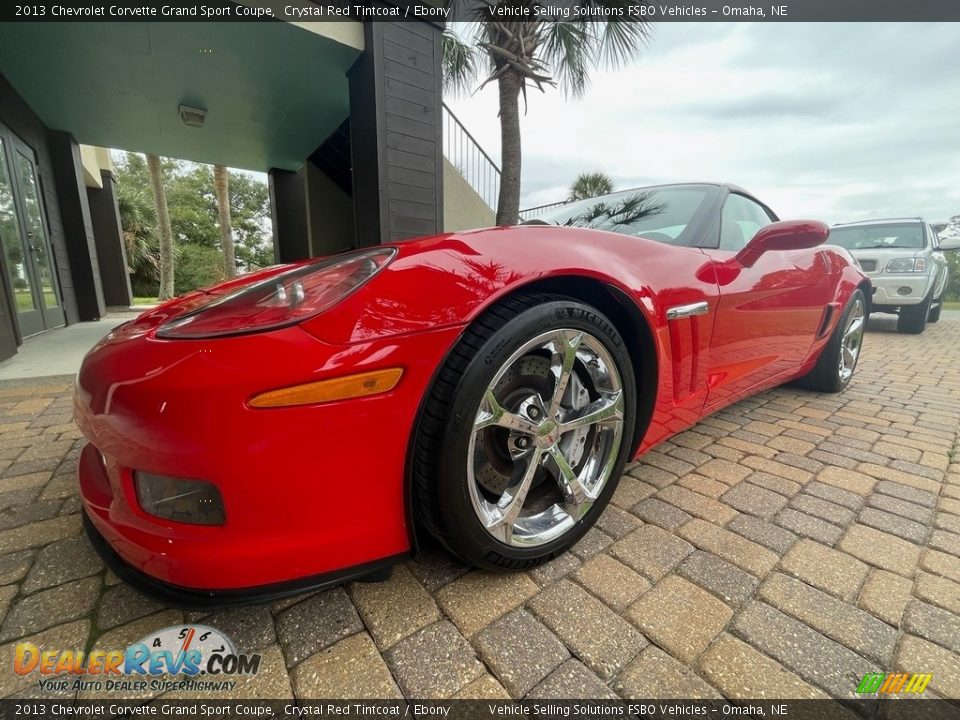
272,91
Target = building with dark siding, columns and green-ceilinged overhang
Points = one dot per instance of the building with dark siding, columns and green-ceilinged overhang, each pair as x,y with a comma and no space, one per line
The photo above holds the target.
347,119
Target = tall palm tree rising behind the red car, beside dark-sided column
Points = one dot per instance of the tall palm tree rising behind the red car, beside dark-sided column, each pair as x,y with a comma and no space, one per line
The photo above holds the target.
536,53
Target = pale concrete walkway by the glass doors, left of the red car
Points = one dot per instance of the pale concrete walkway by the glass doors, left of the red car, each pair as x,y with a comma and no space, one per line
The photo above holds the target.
59,351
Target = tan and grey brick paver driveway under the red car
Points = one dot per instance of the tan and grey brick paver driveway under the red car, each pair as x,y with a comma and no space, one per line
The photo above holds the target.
783,547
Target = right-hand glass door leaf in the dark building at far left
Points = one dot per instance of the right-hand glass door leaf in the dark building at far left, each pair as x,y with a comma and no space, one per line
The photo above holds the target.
37,270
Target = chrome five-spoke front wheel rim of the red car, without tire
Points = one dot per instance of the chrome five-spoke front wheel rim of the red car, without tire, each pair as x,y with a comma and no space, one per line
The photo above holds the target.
546,437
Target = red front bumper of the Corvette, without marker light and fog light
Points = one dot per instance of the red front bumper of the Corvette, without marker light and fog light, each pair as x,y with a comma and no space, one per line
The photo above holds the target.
307,491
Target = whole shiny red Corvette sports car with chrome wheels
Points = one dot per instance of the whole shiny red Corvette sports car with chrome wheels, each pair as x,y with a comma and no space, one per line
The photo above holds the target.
298,426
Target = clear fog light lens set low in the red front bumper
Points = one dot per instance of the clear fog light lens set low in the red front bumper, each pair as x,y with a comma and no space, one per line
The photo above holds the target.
190,501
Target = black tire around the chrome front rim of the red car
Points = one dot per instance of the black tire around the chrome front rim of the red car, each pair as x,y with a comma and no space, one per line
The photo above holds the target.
441,492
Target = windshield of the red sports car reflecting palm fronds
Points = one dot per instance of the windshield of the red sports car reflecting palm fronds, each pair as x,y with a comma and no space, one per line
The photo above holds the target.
657,213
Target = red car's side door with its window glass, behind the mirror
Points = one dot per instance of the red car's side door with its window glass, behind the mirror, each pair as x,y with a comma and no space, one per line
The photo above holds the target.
768,314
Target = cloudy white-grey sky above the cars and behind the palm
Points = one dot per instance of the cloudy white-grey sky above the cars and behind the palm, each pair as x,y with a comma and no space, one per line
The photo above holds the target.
832,121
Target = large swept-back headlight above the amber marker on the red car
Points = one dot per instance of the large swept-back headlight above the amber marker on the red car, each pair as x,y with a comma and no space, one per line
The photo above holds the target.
285,299
